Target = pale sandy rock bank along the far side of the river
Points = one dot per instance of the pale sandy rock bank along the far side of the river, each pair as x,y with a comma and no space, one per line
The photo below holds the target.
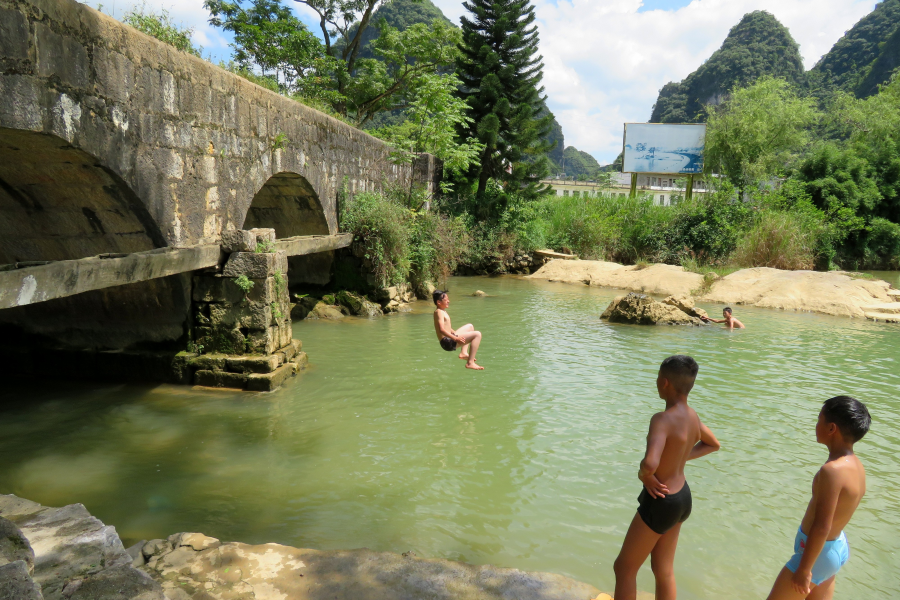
832,293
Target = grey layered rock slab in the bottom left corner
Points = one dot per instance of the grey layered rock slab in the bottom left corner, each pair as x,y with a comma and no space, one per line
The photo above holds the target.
76,555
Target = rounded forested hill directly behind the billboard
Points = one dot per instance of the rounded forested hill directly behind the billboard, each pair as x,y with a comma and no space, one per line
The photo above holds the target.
758,45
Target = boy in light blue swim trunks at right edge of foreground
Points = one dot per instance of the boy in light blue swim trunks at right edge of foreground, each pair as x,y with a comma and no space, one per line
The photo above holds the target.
820,547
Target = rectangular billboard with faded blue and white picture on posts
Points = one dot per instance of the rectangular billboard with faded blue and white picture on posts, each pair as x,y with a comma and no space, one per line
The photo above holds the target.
663,148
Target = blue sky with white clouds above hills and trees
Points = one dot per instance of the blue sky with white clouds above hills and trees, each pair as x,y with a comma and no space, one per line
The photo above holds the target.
605,60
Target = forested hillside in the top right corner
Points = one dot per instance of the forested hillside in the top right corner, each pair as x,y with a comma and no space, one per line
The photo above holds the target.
864,57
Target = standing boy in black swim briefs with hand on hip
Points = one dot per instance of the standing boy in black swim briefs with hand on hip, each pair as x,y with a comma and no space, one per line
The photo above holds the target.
676,436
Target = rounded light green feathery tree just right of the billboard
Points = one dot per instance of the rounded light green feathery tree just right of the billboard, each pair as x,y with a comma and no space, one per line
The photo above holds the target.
757,132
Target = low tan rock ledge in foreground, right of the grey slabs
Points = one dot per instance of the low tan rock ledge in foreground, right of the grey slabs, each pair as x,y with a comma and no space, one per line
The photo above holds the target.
191,565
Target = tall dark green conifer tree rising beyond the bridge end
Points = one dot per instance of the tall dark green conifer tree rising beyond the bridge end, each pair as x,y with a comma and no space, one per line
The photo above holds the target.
501,73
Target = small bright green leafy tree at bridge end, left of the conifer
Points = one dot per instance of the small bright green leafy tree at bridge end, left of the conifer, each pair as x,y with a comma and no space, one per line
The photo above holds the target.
432,121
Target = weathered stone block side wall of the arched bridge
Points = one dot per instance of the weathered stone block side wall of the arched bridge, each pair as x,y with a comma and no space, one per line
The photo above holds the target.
194,142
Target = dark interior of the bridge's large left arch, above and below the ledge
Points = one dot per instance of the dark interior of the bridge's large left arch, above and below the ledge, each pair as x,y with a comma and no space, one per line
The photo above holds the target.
58,202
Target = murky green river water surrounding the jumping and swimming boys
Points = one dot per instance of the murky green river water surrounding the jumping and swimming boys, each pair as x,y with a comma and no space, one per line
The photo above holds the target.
387,442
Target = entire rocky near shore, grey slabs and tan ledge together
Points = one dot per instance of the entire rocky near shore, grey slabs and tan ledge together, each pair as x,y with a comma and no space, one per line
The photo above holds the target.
67,554
